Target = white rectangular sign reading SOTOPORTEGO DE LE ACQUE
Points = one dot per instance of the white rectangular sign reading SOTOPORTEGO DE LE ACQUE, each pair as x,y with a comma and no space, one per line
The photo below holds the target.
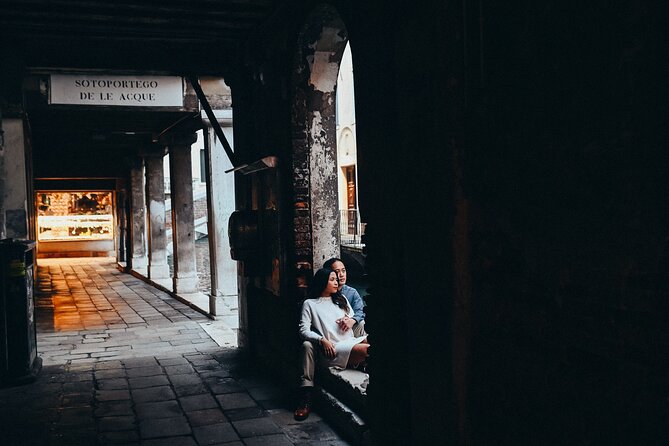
128,91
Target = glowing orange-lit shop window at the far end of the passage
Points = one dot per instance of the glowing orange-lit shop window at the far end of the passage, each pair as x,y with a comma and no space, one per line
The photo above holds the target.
66,216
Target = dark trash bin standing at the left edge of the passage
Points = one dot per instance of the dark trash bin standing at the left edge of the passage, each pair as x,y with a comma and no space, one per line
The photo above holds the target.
19,362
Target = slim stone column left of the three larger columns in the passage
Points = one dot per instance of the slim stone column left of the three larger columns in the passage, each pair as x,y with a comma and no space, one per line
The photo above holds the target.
138,258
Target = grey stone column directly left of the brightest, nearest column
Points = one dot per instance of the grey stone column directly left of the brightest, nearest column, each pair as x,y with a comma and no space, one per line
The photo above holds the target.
183,223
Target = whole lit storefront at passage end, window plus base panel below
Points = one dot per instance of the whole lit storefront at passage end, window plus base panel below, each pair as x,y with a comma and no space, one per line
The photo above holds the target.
73,223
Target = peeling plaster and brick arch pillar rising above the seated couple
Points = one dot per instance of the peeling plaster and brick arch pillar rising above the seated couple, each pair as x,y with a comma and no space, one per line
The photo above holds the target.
314,142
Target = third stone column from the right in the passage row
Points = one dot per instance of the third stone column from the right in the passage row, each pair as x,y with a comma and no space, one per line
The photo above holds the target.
159,271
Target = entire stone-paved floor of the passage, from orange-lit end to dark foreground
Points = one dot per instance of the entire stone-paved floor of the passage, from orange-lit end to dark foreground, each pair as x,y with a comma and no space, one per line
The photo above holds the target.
124,364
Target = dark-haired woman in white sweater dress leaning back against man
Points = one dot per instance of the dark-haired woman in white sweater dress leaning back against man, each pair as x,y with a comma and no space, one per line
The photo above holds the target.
320,324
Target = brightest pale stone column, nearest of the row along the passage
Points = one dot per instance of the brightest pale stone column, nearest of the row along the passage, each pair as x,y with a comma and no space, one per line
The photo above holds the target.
221,187
